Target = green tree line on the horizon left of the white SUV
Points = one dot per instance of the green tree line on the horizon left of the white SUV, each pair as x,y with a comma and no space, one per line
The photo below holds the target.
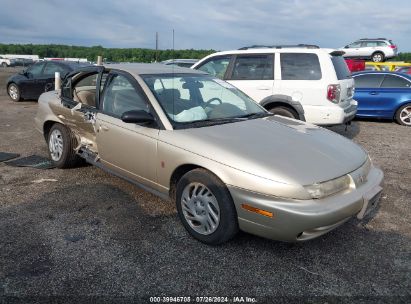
110,54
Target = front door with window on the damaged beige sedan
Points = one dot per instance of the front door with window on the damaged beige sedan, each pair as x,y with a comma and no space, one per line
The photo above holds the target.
128,149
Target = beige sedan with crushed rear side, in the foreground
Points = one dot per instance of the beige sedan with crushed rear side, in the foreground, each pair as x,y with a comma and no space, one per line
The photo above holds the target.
226,162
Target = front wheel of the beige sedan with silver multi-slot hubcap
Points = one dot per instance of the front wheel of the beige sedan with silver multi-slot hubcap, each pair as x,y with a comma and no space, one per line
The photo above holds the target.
203,196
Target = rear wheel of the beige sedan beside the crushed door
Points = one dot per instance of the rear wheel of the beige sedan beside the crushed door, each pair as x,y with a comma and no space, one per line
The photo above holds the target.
62,142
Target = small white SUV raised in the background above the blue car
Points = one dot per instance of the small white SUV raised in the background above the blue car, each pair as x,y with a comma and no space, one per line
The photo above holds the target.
377,50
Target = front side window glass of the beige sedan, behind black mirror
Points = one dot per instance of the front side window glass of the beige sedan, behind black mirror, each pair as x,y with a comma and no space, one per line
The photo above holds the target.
120,96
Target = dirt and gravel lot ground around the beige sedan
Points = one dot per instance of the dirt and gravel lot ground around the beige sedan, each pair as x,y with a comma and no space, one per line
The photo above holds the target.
91,236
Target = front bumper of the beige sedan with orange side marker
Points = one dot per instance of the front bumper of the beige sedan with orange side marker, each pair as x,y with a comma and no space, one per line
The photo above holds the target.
301,220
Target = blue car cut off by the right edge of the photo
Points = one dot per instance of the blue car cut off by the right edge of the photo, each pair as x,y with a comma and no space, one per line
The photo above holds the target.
384,95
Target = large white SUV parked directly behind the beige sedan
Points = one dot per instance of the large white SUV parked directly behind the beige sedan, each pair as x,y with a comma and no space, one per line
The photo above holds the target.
303,82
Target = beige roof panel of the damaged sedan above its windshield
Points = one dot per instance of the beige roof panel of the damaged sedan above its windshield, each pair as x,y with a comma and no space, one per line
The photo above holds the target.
151,68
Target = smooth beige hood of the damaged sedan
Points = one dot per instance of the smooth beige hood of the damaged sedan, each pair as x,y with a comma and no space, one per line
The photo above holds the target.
276,148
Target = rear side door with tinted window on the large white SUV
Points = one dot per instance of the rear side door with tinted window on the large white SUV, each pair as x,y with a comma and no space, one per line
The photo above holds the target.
253,74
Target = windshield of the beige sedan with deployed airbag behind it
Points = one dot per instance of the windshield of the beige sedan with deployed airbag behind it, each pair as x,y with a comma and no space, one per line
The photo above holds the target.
191,100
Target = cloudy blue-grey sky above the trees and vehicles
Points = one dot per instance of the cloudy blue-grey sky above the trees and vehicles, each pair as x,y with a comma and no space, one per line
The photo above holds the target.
204,24
